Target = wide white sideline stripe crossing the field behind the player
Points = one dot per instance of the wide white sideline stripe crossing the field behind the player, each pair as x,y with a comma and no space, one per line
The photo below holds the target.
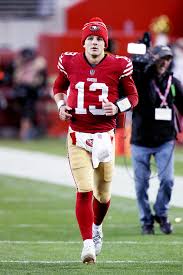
56,170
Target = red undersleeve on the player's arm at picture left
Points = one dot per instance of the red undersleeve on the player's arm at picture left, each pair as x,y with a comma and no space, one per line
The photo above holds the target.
61,84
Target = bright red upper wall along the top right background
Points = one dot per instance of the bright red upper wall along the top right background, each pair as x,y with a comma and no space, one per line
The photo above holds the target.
115,12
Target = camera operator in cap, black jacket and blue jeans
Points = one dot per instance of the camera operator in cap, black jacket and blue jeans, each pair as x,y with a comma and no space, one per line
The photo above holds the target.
153,133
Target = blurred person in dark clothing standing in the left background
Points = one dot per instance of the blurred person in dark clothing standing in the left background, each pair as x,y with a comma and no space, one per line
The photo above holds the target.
29,77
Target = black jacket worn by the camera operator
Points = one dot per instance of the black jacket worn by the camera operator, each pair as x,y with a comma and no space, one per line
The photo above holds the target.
146,131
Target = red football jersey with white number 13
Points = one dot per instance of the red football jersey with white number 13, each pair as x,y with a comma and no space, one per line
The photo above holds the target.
87,86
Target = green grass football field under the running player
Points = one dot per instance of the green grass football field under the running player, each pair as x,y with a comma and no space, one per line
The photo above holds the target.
39,233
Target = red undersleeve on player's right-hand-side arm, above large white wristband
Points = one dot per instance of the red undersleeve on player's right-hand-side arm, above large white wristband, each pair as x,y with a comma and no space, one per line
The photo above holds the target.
129,89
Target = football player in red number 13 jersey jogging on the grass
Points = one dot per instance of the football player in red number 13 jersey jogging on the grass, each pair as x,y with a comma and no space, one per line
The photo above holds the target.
90,90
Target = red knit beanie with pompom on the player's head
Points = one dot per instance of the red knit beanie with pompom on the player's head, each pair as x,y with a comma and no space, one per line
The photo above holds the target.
95,27
